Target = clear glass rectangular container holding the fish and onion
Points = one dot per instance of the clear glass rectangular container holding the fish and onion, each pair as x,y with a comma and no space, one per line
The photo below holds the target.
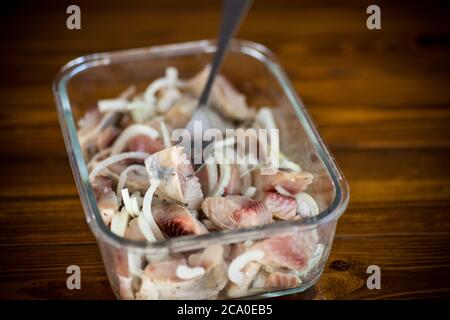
255,72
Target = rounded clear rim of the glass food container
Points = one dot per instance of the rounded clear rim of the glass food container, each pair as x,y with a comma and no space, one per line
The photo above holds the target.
79,169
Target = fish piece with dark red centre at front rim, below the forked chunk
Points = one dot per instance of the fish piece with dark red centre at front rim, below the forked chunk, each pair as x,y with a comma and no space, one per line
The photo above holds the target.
175,220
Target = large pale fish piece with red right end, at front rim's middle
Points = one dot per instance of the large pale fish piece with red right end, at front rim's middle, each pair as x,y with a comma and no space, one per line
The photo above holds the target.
232,212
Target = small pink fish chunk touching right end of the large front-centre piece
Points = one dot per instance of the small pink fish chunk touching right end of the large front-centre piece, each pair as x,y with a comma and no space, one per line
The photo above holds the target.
281,206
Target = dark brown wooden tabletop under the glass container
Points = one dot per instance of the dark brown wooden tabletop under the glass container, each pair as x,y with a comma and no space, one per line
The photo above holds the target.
381,100
